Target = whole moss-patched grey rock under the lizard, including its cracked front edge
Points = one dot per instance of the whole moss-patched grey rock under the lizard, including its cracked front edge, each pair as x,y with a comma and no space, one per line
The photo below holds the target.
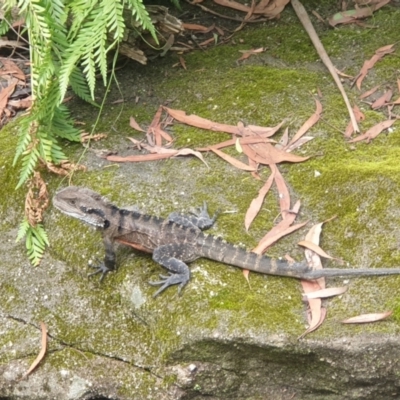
221,339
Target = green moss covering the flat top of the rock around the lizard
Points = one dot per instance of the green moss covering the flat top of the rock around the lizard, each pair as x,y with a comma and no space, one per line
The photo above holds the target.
358,183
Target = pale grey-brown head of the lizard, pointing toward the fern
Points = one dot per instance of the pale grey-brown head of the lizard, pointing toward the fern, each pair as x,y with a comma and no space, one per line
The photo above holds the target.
83,204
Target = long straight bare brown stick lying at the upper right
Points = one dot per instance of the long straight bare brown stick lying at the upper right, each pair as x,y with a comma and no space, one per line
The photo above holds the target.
305,20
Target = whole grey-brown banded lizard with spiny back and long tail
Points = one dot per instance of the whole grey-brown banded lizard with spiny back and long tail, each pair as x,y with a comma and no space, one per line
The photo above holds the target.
178,240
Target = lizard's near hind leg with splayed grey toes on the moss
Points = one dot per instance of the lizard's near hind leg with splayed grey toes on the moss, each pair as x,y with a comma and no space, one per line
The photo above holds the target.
171,256
